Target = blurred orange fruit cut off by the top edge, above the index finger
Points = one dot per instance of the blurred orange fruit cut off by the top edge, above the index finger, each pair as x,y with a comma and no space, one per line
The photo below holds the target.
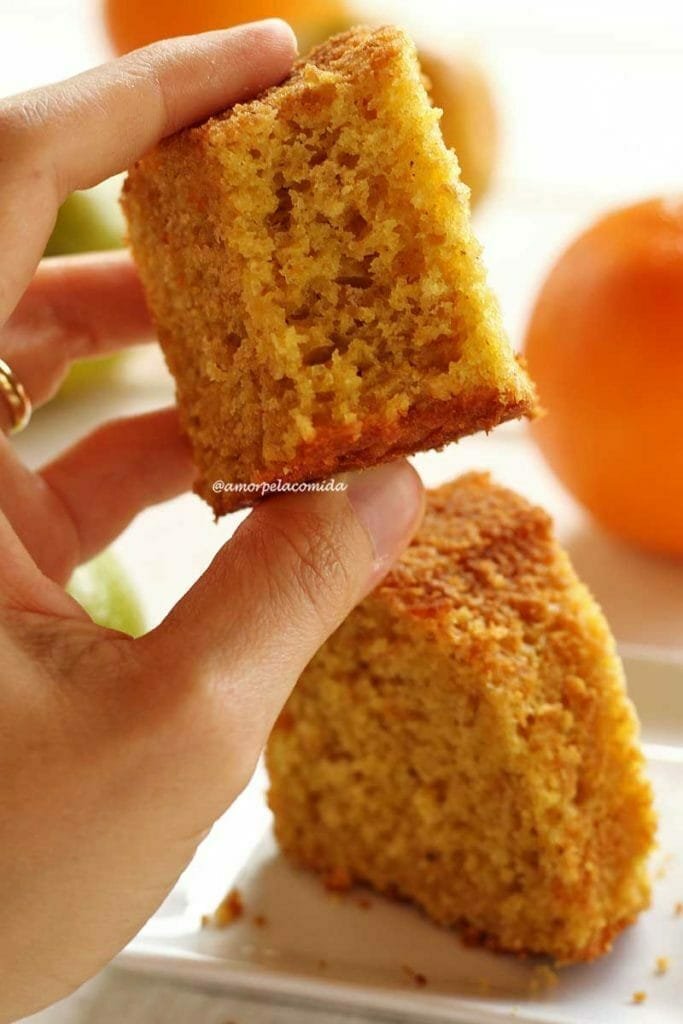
132,25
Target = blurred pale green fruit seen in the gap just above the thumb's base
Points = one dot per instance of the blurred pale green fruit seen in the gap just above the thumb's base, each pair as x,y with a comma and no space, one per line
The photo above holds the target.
105,590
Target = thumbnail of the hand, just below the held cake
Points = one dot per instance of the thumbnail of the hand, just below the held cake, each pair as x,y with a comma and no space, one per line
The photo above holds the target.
389,501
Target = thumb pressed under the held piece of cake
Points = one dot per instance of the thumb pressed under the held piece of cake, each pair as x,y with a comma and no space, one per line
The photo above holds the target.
276,591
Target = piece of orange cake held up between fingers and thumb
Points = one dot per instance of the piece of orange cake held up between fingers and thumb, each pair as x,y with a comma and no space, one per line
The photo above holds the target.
311,267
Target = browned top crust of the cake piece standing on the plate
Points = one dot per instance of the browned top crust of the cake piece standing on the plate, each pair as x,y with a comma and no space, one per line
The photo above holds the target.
484,553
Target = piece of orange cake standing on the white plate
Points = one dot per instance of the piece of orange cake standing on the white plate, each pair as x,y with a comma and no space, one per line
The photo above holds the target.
465,741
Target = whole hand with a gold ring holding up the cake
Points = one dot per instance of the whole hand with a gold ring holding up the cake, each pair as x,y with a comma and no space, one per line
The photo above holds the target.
117,755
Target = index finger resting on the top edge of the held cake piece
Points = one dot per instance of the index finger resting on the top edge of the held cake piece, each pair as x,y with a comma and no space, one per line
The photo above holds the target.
78,133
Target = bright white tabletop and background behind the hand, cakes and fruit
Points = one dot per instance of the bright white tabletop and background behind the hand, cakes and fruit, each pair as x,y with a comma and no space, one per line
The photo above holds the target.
590,98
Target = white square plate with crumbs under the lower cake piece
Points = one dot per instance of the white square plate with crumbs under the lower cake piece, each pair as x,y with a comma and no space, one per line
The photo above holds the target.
339,952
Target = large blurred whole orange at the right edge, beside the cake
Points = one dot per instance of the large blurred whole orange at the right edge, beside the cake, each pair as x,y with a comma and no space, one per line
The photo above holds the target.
606,348
